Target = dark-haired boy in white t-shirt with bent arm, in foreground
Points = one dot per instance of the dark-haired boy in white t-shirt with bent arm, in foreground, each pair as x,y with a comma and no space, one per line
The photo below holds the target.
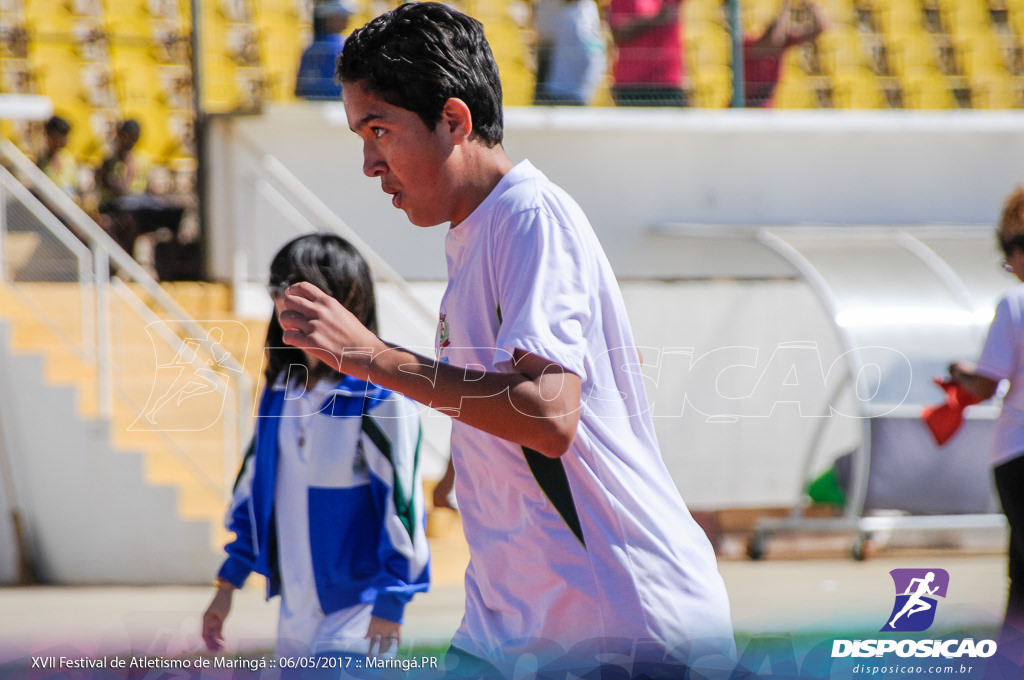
581,548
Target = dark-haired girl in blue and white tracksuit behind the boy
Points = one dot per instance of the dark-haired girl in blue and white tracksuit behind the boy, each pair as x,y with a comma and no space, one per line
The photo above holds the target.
329,502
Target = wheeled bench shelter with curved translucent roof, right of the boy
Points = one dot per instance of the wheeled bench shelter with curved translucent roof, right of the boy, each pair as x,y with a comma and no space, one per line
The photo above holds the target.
924,293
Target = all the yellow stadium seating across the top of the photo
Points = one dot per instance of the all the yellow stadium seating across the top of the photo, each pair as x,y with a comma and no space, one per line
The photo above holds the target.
102,61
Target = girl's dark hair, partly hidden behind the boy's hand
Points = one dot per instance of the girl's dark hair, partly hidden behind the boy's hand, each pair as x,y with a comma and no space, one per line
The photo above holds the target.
332,265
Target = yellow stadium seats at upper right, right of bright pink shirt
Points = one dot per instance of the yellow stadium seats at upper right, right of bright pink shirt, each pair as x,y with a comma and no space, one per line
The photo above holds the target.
973,62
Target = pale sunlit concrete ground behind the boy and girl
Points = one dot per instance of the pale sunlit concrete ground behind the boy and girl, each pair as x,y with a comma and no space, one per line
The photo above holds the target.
803,598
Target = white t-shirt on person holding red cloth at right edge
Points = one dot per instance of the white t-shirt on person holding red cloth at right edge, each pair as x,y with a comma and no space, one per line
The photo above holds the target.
1001,360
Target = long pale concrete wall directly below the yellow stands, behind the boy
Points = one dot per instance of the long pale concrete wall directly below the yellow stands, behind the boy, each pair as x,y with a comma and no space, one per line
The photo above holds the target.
635,171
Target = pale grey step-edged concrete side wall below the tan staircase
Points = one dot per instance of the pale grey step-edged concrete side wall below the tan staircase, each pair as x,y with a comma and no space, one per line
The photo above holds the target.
90,518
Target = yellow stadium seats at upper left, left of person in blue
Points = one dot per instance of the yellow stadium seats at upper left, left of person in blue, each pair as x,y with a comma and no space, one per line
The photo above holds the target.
102,62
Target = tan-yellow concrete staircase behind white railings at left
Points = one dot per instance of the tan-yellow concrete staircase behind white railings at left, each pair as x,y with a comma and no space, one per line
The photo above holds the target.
185,449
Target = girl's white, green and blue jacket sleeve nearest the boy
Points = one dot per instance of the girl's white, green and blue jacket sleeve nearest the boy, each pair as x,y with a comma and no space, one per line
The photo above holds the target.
392,443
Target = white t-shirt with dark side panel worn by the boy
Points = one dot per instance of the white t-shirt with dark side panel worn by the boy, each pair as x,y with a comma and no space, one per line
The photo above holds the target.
598,544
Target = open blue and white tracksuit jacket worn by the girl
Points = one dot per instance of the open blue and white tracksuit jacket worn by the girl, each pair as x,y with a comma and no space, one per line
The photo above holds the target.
366,501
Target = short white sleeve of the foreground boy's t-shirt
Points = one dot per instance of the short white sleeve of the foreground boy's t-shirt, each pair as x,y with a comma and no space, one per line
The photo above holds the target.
543,289
